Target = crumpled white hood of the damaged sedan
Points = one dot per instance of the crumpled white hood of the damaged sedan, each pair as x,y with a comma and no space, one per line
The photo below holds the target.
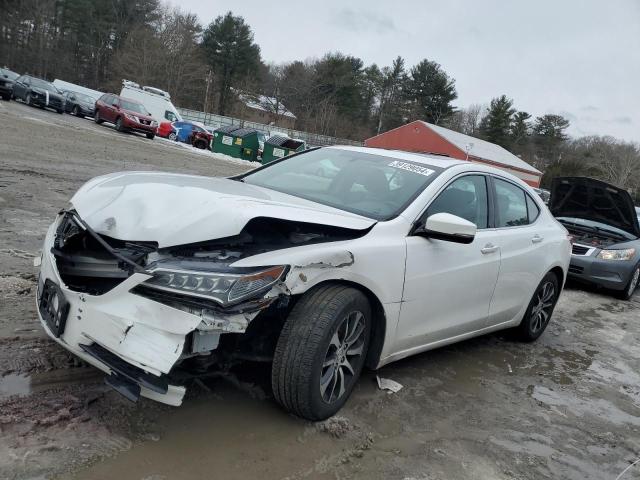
174,209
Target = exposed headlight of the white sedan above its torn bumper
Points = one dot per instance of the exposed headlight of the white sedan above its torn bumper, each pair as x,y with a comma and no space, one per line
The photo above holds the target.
224,288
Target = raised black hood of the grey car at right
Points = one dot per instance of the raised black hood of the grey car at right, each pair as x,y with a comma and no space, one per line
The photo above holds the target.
582,197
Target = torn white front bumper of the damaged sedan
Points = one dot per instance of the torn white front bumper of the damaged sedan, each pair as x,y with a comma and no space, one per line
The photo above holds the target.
134,338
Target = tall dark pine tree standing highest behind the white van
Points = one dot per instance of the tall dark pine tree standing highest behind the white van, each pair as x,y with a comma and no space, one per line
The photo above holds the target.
231,53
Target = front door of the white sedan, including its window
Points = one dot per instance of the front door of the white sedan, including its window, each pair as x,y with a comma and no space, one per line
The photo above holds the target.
448,286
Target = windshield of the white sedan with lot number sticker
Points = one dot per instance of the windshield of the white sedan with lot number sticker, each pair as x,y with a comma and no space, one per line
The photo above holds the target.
374,186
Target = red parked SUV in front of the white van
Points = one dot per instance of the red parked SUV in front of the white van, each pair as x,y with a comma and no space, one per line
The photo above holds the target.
126,114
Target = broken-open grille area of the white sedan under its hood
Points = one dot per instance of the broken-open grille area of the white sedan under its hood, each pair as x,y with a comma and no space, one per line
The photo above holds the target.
91,263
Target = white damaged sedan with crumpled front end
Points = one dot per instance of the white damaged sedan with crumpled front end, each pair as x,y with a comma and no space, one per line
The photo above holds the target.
155,278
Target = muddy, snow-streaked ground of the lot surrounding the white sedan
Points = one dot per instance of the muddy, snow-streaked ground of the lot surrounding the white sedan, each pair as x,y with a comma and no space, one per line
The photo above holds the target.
565,407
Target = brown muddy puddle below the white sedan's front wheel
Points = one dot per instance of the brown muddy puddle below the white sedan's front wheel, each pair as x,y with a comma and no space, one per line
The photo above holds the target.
225,435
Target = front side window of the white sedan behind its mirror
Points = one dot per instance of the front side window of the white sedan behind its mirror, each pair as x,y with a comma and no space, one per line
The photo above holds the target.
465,197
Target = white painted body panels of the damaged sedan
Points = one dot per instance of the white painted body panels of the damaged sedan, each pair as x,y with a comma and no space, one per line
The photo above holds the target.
432,292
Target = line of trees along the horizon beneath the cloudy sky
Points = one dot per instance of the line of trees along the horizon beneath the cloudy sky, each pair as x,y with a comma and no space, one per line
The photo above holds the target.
205,67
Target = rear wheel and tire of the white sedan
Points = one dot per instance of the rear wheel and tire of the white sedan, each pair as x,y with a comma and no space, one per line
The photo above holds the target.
540,309
